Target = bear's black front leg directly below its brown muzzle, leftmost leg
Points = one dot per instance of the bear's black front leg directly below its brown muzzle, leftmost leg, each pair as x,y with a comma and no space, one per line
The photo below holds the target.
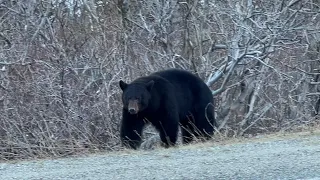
131,130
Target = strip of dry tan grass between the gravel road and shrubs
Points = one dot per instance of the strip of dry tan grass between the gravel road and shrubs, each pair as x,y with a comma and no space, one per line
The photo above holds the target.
216,141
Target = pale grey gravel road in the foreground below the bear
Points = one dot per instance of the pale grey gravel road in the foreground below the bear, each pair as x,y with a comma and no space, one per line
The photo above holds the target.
293,157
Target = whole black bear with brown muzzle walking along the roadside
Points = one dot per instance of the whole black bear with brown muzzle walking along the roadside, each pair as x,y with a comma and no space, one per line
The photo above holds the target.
166,99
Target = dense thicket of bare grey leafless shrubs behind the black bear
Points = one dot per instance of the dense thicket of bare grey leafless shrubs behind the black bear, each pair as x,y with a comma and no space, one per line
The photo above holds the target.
60,63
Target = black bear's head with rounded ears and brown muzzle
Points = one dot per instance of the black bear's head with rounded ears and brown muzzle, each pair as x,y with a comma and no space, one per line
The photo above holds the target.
136,96
